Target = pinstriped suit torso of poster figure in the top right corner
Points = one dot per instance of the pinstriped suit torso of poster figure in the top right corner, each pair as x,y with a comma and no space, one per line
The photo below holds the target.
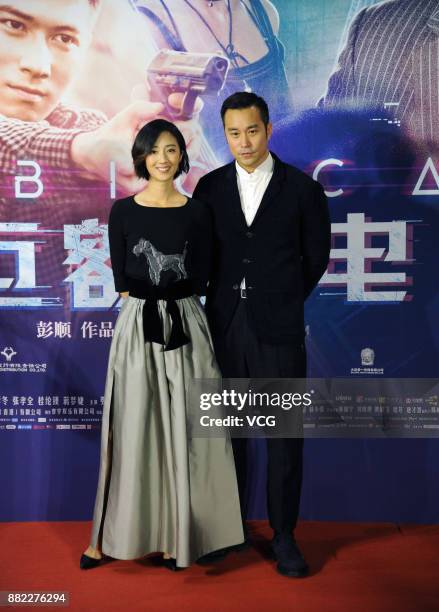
391,60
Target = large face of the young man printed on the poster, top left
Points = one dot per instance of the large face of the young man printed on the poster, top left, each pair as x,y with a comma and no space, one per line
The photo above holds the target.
42,43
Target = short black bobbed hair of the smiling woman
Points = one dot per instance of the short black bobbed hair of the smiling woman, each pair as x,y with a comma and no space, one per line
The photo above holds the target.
145,141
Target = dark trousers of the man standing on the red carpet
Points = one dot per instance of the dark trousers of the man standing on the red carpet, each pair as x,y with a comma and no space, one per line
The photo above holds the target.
241,355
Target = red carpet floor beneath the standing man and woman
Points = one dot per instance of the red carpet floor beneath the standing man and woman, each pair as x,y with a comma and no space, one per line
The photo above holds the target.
354,567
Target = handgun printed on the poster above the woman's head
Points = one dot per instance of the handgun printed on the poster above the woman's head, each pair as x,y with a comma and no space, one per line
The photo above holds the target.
193,74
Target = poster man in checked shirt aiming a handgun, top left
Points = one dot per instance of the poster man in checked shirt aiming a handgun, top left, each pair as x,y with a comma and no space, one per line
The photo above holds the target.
42,47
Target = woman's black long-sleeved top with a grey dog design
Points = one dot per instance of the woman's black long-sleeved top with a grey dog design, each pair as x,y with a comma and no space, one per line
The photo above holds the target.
160,245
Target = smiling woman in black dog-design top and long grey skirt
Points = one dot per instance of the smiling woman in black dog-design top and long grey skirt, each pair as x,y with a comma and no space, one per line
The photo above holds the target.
159,490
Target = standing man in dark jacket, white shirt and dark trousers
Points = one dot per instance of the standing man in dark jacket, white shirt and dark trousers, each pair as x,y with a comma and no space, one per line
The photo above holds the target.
272,242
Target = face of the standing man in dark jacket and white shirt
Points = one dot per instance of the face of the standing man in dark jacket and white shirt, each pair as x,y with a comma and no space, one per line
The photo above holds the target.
247,136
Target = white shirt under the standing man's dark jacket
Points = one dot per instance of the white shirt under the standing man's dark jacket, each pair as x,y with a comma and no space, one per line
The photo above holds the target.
251,187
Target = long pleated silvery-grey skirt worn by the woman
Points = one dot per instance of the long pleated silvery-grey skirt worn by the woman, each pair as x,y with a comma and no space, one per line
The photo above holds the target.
157,489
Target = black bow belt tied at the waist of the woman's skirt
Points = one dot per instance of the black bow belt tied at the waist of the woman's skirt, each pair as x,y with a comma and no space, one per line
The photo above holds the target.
152,324
